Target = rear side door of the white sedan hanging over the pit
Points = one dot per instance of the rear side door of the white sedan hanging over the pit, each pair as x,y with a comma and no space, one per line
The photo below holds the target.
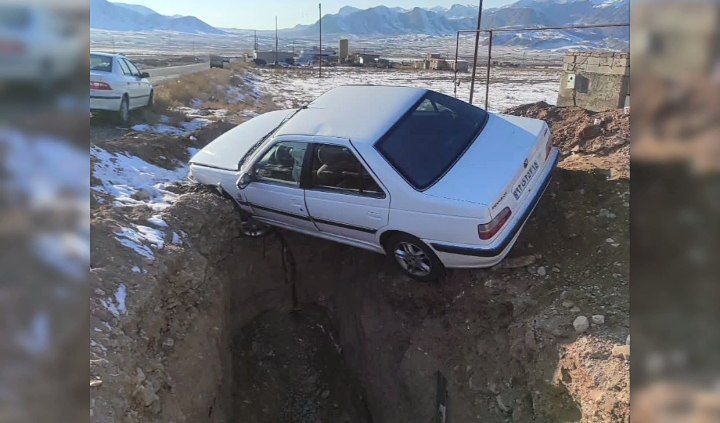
343,198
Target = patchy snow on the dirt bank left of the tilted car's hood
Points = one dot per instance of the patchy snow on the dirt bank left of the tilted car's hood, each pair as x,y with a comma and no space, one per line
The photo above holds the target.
131,181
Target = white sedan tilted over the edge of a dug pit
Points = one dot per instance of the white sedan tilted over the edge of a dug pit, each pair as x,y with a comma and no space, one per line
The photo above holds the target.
426,178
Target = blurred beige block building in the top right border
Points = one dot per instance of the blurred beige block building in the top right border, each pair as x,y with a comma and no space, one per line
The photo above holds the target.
678,40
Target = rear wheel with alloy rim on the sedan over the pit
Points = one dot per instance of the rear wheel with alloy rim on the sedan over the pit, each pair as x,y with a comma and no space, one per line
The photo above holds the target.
415,258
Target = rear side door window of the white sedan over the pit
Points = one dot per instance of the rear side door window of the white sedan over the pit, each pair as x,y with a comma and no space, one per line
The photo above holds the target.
336,168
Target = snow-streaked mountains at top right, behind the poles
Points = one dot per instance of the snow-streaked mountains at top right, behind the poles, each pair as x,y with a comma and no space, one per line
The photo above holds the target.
440,21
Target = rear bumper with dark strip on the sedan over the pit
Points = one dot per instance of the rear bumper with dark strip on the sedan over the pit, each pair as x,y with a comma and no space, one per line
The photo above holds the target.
470,256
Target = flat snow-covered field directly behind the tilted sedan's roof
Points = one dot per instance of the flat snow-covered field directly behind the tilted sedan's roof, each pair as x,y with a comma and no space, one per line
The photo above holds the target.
509,86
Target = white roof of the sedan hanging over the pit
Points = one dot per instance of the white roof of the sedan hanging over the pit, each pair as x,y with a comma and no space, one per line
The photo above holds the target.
361,113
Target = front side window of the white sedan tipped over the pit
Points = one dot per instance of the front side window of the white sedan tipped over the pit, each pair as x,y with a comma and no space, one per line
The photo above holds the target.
282,163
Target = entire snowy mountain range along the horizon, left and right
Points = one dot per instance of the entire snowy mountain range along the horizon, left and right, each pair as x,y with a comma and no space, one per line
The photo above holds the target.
382,21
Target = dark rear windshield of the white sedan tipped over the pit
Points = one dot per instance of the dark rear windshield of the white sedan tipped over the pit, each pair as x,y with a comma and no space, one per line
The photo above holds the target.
426,142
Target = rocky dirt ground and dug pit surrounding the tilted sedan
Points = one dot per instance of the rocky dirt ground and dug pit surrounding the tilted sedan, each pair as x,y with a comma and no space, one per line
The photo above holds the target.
190,322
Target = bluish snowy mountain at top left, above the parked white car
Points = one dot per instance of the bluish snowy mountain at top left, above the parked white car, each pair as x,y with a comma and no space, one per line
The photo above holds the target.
132,17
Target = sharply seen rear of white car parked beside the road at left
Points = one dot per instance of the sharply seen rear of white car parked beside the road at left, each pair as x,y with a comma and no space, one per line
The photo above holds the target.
116,85
